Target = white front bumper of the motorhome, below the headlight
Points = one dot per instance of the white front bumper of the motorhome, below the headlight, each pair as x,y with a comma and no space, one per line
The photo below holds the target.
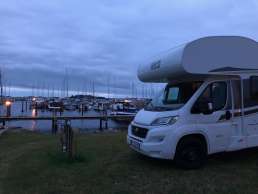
157,143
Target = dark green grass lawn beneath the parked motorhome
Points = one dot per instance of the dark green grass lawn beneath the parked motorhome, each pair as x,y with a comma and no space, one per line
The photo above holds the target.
31,163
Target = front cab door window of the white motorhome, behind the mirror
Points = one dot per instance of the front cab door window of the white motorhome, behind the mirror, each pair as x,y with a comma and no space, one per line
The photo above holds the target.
215,95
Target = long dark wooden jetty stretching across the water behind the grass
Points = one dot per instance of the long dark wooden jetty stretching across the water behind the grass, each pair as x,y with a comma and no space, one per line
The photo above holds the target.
55,119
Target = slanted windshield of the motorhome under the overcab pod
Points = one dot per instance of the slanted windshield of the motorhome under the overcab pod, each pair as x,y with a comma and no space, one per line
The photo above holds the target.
173,97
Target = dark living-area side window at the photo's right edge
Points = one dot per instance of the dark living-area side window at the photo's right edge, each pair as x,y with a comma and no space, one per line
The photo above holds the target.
251,92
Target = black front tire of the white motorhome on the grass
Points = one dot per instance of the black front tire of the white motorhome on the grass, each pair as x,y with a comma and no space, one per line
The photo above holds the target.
191,153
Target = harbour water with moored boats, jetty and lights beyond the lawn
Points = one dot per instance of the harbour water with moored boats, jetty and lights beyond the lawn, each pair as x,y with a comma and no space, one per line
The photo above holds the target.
85,113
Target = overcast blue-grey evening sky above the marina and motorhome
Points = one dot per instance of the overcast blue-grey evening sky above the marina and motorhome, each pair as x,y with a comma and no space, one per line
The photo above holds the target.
103,41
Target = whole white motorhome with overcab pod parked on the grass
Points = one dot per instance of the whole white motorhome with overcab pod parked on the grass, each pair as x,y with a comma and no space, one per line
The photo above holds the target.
209,105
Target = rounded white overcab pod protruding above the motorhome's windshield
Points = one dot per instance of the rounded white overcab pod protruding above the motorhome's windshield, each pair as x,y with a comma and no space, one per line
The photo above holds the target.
218,55
